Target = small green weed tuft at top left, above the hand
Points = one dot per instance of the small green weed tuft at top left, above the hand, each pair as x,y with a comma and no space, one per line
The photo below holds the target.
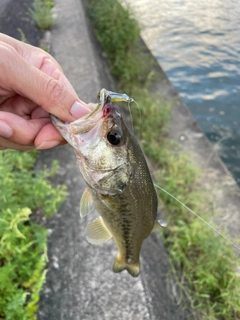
42,14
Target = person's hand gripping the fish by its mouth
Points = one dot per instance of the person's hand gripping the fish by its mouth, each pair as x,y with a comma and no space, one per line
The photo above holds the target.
32,85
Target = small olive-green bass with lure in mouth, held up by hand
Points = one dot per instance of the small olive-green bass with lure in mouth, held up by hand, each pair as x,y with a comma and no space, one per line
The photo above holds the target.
119,184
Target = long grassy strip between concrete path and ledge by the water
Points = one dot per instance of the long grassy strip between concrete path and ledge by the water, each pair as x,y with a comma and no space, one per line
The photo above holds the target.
203,265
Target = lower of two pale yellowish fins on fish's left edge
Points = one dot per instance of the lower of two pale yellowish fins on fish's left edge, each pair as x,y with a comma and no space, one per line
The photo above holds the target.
97,232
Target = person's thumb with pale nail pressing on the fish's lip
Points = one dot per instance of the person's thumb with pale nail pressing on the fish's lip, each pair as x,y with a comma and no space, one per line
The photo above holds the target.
52,92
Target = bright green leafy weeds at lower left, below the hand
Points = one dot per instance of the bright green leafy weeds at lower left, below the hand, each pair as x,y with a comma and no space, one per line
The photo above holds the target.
25,197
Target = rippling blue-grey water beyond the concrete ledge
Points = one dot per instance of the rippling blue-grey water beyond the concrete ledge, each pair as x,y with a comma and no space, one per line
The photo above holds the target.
197,44
